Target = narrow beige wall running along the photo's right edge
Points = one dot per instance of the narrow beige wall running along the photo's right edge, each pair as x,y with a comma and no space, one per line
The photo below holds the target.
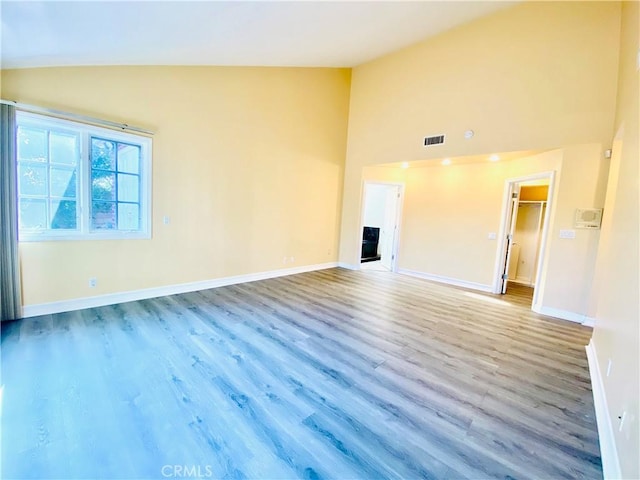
616,335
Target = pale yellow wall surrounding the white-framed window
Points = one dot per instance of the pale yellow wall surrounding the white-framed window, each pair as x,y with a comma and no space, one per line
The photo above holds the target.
247,163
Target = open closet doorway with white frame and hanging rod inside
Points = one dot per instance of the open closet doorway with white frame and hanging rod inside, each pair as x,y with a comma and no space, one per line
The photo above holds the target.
525,218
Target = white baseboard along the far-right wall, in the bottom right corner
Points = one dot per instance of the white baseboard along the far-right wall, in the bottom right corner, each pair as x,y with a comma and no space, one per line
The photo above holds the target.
608,450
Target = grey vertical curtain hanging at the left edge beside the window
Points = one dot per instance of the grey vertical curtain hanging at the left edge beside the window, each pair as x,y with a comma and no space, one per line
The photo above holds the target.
10,291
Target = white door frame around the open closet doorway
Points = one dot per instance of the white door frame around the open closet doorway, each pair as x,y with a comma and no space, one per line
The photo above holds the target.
505,225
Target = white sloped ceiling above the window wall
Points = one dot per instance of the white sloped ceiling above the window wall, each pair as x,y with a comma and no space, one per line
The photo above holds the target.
258,33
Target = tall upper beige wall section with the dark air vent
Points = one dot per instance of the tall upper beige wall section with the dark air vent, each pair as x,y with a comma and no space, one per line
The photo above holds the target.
537,76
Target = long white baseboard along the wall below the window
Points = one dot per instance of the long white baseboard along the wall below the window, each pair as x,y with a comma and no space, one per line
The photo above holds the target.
121,297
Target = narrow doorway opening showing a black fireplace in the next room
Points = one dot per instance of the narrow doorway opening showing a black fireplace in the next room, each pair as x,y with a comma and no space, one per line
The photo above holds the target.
380,226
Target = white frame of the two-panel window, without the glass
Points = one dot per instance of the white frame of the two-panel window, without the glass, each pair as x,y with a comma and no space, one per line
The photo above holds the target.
83,175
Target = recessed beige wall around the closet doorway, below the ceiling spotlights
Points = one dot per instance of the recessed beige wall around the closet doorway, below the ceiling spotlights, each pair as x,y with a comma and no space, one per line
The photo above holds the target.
450,210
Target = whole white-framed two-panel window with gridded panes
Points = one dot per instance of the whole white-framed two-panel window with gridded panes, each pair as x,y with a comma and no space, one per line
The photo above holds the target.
77,181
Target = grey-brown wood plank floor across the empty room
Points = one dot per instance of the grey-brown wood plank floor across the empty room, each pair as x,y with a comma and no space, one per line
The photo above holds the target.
331,374
